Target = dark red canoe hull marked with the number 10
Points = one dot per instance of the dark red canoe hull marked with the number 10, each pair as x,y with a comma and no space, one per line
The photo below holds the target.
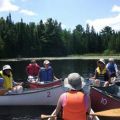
103,101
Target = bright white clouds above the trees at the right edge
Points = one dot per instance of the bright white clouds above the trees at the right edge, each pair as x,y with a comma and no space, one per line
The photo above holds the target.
113,21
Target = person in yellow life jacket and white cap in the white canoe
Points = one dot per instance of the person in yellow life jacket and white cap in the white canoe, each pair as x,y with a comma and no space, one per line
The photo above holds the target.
8,82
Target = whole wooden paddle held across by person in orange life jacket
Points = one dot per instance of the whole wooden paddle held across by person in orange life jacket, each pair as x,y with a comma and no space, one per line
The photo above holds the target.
106,113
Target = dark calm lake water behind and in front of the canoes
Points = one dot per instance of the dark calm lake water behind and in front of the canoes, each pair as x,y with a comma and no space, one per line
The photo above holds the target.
61,69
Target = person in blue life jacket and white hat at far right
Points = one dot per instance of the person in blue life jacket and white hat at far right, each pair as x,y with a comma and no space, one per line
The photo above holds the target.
112,67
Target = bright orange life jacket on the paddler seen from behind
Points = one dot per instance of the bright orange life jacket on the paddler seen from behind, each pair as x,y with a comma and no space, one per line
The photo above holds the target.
74,108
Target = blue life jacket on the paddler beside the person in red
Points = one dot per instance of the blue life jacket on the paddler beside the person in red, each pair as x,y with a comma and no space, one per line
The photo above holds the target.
46,74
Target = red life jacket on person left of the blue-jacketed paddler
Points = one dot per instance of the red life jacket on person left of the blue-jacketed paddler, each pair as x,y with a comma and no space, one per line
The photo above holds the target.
33,69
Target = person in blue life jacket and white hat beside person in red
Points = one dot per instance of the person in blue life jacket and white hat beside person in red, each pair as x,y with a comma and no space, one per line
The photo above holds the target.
46,73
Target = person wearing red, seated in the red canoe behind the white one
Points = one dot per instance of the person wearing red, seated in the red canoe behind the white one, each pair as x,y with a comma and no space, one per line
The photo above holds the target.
33,68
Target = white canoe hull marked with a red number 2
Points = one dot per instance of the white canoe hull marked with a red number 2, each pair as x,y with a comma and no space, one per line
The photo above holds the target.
45,96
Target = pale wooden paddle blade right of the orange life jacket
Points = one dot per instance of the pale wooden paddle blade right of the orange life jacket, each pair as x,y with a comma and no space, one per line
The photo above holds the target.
108,113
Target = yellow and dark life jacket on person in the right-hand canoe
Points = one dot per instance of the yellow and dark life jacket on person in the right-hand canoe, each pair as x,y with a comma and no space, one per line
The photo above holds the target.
102,75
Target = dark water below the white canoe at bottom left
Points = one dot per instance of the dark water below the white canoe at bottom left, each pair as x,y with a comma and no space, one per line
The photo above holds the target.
24,112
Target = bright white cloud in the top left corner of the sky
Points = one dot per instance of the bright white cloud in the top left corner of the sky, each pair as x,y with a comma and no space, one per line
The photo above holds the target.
7,5
